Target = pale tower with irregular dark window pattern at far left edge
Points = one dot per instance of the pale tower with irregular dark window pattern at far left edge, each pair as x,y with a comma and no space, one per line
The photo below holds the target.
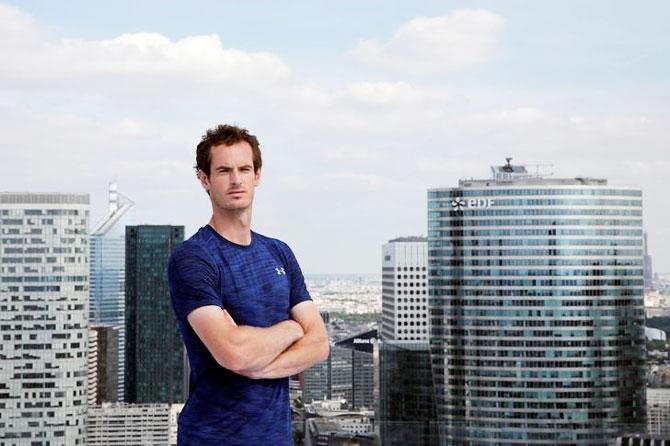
43,318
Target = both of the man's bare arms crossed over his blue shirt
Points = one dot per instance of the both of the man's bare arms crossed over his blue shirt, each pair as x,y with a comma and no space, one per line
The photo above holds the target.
281,350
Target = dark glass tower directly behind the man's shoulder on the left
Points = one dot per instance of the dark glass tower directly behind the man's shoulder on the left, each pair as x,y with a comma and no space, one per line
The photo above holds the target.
155,359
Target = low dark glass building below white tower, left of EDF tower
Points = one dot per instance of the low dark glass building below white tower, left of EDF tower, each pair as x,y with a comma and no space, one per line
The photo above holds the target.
406,394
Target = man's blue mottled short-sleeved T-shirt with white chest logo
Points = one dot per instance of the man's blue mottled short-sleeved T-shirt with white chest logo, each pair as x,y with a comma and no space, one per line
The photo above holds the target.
258,285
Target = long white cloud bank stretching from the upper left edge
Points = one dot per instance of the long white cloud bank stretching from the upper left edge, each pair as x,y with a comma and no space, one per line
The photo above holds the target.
32,55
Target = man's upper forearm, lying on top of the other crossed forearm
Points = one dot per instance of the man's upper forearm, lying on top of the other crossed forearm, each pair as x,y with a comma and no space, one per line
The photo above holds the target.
257,347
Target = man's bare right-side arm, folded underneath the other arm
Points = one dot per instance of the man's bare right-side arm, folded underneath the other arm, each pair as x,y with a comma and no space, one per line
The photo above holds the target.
313,347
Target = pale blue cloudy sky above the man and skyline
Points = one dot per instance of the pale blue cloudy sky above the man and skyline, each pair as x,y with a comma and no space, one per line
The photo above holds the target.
359,106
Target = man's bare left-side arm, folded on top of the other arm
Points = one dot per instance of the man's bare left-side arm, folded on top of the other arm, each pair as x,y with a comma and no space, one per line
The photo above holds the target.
241,349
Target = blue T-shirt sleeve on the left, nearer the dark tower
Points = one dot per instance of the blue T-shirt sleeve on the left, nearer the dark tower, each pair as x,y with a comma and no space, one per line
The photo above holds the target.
193,280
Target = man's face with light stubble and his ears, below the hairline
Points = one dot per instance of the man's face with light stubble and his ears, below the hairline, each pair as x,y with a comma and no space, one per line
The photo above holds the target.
232,180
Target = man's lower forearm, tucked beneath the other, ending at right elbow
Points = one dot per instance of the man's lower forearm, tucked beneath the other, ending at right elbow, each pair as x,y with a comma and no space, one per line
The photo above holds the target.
307,351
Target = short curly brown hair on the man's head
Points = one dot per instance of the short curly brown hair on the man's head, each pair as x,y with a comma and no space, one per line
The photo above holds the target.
227,135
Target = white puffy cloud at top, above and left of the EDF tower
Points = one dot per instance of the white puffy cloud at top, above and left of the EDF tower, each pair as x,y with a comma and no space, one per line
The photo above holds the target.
427,45
